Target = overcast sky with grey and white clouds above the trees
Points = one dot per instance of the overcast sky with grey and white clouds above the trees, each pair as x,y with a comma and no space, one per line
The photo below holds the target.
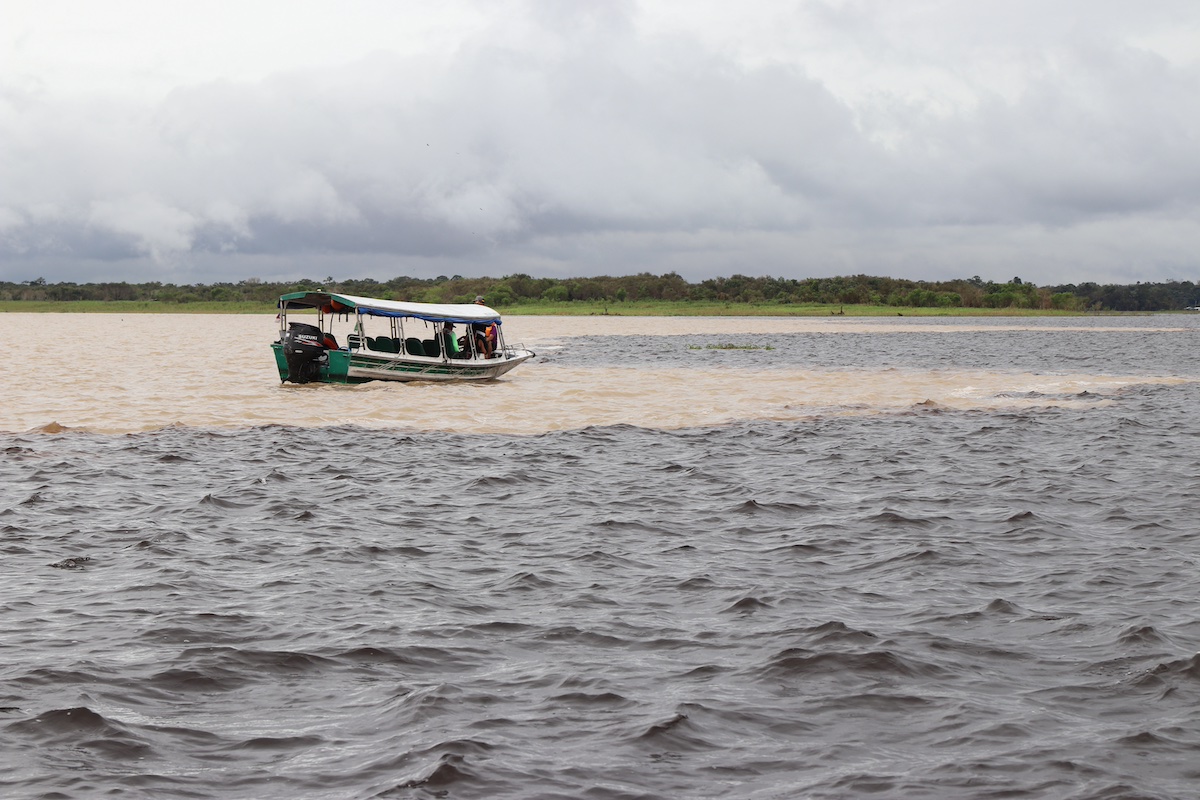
188,141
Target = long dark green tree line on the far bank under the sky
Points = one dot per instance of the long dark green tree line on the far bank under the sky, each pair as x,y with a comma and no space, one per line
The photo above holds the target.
518,290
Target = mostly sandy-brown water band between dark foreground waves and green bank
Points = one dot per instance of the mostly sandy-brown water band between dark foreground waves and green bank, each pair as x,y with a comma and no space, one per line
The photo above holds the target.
122,374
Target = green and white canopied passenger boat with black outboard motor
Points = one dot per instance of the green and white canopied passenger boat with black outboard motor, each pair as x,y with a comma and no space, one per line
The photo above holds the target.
389,340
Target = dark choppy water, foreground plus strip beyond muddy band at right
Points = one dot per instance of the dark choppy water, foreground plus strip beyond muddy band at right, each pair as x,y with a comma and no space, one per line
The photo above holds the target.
928,604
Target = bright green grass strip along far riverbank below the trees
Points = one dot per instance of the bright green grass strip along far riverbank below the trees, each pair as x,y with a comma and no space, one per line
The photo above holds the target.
578,309
